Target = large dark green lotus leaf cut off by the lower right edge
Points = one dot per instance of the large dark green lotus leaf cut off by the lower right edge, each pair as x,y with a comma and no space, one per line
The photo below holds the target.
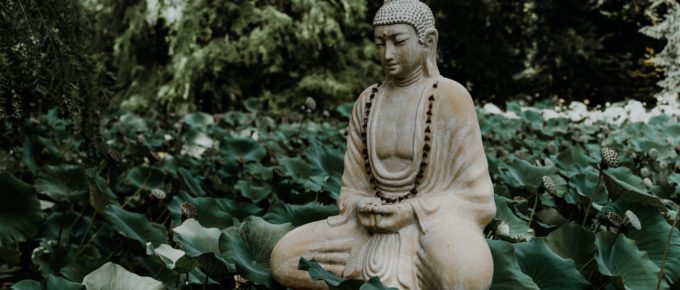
652,239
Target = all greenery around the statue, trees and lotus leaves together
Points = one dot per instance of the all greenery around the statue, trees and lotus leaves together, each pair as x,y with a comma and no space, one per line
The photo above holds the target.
107,168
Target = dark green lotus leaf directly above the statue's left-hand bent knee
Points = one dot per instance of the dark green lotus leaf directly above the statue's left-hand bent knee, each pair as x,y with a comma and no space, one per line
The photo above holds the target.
298,215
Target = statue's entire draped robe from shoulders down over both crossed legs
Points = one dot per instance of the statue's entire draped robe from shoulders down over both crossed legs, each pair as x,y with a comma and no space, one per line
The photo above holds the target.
443,248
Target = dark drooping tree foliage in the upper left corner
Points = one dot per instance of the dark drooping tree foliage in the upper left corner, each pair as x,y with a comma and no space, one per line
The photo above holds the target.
47,61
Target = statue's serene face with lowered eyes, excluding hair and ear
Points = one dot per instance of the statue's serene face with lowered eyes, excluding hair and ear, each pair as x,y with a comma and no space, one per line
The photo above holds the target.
399,50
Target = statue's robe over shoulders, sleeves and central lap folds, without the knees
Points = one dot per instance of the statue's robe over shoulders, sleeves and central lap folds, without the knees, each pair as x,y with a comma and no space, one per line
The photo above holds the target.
455,192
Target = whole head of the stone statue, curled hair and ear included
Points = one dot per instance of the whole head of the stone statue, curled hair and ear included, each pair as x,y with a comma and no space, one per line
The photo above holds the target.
406,37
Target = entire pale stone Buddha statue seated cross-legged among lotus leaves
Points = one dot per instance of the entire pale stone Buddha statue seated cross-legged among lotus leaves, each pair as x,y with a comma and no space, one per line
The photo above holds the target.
416,192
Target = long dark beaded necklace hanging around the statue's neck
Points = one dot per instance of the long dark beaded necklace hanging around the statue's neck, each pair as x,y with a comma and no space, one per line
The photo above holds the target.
426,149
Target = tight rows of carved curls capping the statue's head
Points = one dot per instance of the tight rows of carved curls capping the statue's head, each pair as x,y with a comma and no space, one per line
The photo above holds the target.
412,12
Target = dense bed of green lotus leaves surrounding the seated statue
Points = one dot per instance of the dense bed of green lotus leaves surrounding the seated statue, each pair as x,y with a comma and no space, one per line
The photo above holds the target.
202,199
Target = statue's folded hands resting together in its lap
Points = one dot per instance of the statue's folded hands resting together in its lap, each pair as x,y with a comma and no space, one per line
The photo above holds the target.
384,218
